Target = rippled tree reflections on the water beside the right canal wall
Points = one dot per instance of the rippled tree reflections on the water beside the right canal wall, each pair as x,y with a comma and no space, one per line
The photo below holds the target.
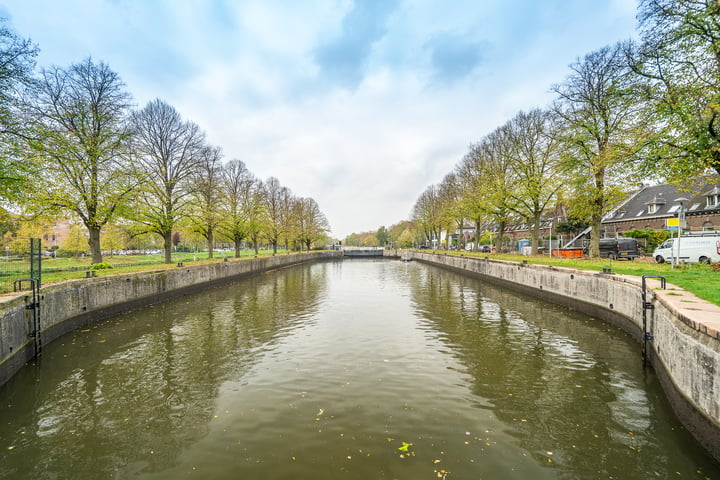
562,383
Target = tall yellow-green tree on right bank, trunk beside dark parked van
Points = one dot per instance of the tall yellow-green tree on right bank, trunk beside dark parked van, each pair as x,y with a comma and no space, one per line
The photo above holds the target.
603,132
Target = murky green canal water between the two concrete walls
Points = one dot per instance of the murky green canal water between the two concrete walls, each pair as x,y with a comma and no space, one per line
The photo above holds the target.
356,369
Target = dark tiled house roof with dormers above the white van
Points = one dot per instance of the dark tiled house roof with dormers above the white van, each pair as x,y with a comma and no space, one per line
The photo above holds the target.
660,201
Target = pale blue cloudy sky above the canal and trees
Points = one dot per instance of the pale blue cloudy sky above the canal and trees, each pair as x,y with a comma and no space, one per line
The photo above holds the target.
360,105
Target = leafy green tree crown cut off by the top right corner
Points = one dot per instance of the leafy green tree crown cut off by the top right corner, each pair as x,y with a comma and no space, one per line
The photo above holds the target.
679,61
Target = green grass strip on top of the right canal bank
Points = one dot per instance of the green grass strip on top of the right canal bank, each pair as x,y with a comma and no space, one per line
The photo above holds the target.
699,279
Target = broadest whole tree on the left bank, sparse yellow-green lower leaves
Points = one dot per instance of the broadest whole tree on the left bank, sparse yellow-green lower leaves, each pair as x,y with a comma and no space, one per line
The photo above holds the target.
79,115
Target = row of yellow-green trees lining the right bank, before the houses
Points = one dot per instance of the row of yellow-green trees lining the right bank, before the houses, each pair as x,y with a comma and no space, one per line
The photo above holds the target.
625,112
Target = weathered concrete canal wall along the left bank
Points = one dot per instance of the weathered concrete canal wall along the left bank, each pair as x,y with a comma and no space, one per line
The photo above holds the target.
77,303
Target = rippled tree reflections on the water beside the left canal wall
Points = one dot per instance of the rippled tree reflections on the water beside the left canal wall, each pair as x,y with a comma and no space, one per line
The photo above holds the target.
130,393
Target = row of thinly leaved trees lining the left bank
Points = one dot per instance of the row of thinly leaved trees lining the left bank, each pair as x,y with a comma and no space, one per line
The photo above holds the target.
73,144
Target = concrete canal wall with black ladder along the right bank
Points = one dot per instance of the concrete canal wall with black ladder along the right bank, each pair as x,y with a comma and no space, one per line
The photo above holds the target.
685,345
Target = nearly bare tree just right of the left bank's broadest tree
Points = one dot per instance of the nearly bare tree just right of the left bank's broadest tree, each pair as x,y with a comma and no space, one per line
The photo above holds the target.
168,152
